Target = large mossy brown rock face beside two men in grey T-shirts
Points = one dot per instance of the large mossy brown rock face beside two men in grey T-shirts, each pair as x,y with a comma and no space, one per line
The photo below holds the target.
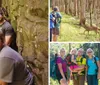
30,20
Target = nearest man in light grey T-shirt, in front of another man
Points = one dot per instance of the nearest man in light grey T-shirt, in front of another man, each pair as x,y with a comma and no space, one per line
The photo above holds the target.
12,67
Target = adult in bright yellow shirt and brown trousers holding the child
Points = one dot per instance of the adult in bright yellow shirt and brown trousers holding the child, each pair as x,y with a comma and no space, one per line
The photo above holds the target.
79,79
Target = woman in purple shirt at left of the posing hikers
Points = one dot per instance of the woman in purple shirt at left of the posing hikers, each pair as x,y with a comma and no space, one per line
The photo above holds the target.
61,68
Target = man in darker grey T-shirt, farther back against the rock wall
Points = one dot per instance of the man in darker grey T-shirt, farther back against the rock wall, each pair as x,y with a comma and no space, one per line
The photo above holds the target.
9,33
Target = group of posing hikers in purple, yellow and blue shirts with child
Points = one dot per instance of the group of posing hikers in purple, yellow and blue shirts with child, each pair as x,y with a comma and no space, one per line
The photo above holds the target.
75,66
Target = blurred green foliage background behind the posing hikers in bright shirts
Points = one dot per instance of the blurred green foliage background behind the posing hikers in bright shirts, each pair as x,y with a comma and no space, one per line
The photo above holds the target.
55,47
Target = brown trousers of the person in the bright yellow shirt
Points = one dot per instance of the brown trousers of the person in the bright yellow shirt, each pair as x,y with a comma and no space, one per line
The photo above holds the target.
79,80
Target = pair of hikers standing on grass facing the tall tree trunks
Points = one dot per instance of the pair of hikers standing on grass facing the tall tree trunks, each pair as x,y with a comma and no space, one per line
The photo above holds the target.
55,21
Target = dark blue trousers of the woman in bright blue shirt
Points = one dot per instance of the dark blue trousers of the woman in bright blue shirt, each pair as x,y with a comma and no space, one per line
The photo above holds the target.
92,80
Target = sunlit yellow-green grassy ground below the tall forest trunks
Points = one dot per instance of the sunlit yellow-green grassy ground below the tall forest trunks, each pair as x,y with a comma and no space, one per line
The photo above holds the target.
70,30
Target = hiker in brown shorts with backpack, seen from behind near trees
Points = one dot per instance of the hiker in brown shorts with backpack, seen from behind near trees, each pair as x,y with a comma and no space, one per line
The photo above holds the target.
57,22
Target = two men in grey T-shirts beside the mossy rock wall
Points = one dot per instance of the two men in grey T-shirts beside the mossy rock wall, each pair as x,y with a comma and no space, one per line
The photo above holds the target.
12,68
